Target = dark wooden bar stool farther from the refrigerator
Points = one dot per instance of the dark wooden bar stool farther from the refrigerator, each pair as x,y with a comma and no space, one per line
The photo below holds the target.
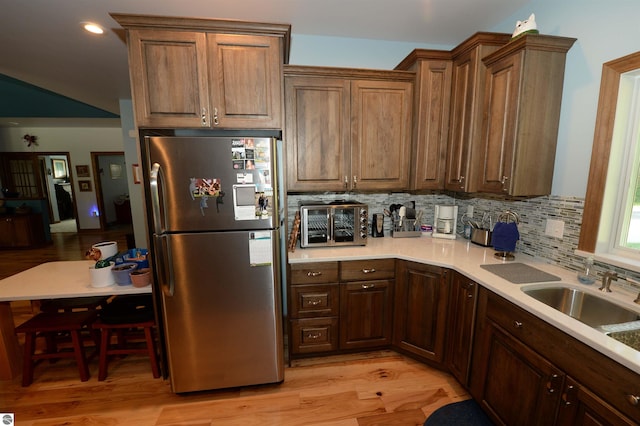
46,323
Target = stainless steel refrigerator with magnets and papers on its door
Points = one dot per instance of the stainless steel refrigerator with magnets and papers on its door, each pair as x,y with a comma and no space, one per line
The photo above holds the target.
216,238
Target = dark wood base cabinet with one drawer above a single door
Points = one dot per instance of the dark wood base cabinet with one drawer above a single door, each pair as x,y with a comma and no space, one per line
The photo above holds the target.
366,303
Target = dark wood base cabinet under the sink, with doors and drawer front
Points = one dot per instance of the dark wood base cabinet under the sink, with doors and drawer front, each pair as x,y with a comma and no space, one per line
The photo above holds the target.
527,372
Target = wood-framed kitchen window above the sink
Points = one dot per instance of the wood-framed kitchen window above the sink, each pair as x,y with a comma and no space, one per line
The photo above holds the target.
612,205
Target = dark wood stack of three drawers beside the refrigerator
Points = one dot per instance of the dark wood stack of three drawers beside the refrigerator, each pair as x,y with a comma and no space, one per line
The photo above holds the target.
313,308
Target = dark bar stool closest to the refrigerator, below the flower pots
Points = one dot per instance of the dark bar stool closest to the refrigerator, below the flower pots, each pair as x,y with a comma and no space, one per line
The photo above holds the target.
129,317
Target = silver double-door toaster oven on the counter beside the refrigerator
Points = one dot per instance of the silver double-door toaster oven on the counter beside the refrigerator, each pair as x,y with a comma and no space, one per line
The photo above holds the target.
338,223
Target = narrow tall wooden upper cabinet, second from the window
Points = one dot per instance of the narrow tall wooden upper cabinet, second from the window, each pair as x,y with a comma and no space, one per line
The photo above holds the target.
467,96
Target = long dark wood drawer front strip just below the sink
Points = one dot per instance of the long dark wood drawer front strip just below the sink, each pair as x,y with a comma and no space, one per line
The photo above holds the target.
611,381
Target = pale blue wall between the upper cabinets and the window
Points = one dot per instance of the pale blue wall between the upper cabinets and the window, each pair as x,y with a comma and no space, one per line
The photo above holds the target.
605,31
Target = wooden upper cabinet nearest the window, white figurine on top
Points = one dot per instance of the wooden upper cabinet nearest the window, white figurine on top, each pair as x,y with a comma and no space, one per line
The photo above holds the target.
523,87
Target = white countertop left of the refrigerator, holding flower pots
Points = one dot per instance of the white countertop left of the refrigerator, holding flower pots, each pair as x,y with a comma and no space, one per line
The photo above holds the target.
57,280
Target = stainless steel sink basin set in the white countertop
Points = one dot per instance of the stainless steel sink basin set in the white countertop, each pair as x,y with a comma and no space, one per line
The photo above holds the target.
588,308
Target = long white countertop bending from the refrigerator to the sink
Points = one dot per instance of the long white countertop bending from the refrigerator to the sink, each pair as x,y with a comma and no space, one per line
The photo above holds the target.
466,258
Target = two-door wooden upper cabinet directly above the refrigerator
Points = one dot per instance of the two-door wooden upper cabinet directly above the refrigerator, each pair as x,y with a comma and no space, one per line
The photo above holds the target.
194,73
